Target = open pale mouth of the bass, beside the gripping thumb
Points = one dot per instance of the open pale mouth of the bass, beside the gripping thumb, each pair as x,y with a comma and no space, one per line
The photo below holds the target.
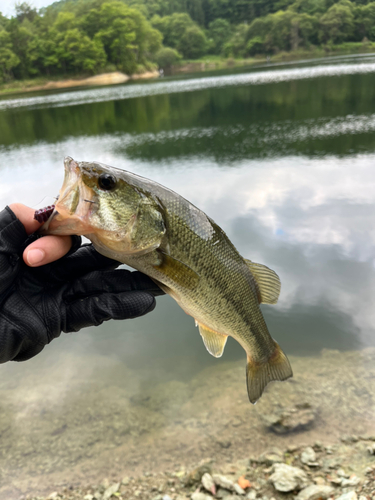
76,202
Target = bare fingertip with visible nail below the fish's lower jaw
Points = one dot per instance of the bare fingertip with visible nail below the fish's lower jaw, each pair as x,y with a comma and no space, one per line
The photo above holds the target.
47,249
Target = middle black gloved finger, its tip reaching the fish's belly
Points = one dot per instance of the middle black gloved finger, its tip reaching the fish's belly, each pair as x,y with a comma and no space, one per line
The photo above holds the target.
110,281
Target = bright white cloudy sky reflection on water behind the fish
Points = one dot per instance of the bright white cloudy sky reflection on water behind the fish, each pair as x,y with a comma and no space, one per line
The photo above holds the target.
309,219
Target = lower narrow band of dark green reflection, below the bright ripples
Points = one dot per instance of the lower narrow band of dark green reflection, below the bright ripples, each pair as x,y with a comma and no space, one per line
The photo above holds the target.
258,140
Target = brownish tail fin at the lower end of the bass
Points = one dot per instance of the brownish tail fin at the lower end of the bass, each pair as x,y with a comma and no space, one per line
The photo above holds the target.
258,375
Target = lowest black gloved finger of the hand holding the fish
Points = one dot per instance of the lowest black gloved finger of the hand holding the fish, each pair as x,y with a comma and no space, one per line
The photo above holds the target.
92,311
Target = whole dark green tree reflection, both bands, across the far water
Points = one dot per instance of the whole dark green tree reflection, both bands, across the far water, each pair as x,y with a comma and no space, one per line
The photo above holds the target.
245,120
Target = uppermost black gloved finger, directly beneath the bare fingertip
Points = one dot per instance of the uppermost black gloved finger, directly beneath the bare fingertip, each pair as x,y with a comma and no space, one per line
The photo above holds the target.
81,262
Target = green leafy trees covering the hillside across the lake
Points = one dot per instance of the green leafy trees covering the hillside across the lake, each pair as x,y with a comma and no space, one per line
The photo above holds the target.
90,36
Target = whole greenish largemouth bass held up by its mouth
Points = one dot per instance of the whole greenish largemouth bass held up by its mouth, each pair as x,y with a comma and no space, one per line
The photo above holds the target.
149,227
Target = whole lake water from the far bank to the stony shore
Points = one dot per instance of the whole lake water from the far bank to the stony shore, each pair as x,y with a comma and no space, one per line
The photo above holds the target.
283,159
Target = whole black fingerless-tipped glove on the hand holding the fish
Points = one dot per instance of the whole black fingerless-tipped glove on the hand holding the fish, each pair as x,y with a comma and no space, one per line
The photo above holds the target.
81,289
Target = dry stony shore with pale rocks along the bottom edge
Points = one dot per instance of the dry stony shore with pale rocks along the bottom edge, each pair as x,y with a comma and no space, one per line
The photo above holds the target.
343,471
